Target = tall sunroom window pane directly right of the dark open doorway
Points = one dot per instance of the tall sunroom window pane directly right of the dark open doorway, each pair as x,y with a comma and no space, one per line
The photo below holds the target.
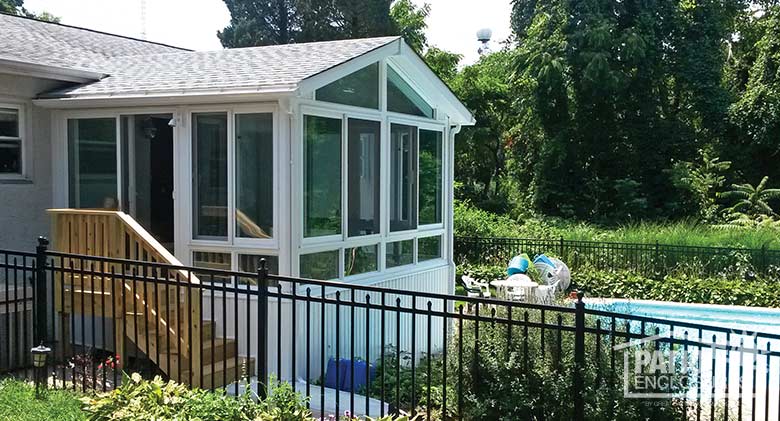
210,175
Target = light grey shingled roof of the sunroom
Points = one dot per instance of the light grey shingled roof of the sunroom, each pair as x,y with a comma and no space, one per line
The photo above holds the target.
270,68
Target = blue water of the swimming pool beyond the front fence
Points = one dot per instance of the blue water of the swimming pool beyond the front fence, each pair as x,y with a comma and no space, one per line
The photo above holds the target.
735,318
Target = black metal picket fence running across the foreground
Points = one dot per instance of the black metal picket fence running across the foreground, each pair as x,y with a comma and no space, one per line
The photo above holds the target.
375,351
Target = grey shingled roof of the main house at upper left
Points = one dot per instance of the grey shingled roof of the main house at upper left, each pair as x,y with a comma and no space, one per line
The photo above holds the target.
32,41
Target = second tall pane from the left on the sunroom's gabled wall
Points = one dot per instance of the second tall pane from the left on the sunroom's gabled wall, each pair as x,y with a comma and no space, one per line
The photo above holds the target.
363,177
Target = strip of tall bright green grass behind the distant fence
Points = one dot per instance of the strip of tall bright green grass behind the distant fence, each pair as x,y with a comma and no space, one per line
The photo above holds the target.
473,222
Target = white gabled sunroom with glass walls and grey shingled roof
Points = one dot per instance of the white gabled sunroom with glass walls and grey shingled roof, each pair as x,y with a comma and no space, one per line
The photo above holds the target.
331,160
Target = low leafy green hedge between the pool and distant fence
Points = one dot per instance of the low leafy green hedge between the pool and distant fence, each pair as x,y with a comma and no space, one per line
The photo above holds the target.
678,288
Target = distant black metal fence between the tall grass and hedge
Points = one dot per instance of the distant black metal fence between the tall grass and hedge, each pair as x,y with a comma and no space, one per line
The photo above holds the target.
651,260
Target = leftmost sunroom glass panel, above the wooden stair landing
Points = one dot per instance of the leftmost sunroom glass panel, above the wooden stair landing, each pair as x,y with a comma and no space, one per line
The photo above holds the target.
92,168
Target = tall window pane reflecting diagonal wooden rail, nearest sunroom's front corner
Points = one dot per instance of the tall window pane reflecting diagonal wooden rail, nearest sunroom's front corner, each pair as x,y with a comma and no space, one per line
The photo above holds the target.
254,175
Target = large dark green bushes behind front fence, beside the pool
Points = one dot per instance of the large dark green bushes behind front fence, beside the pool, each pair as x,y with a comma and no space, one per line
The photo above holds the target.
513,380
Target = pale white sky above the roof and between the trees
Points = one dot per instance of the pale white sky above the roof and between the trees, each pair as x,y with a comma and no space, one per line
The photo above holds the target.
452,24
